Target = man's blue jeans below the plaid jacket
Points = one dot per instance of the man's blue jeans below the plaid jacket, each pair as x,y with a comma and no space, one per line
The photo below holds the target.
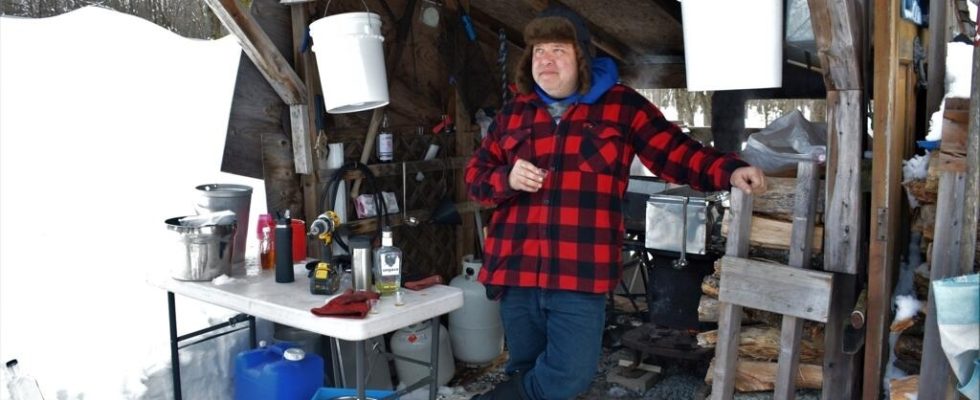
555,338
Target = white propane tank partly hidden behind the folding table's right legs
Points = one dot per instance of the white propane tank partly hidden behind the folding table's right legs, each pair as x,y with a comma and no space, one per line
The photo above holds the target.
415,341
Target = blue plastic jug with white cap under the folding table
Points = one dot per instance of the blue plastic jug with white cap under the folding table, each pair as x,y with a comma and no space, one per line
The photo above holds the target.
281,371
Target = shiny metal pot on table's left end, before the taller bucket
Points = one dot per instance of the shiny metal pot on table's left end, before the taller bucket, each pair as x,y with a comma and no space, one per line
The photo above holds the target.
202,252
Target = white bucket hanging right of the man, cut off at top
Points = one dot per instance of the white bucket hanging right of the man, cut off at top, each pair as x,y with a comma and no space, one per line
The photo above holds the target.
733,44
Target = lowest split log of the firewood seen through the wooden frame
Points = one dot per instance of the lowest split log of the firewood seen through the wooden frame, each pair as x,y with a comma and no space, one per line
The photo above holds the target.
759,376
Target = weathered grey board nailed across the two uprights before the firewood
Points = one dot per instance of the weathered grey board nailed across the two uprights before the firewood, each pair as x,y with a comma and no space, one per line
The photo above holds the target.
775,288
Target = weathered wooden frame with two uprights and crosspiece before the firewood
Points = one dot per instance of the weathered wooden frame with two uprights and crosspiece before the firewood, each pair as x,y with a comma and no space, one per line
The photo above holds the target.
791,290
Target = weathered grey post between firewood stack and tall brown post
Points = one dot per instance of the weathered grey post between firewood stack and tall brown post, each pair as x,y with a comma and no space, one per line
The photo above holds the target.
839,31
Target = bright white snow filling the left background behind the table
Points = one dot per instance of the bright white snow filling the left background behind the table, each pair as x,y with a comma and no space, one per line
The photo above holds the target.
103,136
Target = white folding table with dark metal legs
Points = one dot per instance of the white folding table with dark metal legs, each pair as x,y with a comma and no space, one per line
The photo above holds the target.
290,303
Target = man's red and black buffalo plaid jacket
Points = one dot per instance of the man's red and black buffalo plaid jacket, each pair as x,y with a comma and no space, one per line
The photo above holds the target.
569,234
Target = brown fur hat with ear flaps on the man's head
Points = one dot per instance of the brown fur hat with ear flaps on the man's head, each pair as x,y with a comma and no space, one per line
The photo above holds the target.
556,24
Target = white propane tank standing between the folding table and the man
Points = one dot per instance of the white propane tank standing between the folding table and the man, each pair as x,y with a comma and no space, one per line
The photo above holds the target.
477,333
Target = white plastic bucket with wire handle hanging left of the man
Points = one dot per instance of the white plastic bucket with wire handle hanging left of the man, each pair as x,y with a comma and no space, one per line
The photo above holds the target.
350,58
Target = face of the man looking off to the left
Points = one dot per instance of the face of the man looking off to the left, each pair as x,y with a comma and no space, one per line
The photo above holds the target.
555,68
